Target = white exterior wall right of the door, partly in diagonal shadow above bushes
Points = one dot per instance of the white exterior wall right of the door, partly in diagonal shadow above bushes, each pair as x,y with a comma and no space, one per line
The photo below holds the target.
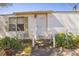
62,22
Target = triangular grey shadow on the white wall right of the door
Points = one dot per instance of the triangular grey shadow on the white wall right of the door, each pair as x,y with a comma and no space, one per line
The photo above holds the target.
55,25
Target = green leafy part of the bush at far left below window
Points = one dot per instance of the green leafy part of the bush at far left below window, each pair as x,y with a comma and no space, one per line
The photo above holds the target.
8,42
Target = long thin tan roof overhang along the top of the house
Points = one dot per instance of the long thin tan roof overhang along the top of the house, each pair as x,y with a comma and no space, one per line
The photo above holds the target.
39,12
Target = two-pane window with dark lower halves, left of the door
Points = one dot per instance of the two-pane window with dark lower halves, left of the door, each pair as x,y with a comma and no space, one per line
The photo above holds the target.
18,23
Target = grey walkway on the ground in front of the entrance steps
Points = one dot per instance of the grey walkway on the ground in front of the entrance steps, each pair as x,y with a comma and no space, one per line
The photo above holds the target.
41,51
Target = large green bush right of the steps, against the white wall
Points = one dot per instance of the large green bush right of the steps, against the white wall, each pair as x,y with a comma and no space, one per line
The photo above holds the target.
64,40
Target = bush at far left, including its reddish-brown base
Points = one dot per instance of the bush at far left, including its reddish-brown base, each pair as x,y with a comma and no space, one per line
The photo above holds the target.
10,45
